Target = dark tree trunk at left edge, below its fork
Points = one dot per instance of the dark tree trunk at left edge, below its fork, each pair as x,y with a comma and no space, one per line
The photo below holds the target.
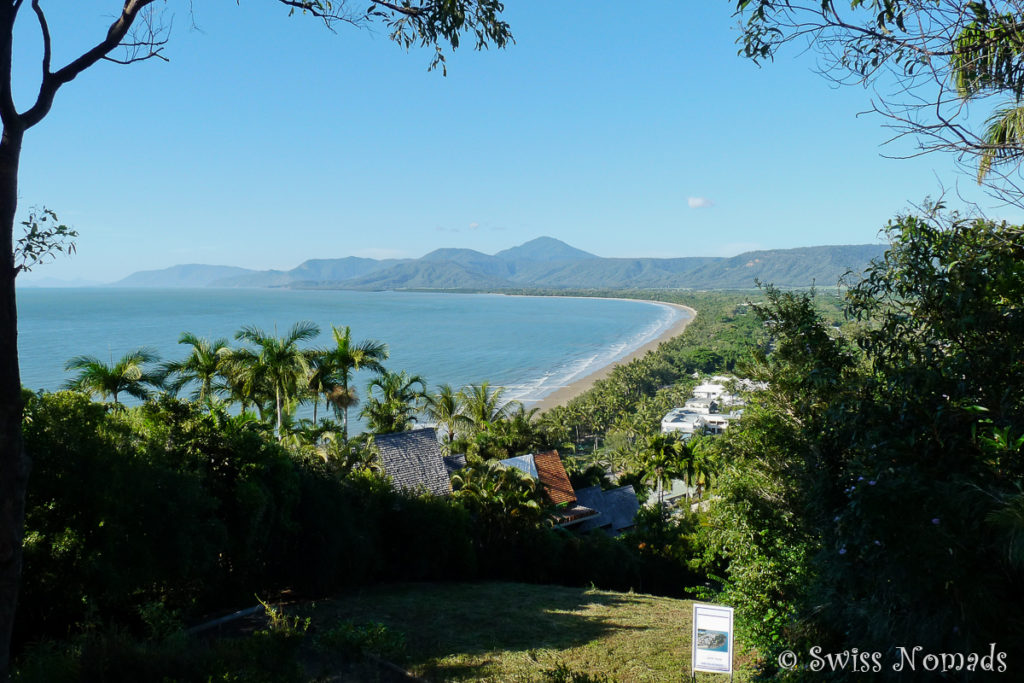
14,460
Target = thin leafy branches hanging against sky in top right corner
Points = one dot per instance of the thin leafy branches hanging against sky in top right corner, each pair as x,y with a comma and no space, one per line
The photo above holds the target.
936,64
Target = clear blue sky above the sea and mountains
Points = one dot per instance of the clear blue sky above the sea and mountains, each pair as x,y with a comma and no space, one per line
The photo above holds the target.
623,130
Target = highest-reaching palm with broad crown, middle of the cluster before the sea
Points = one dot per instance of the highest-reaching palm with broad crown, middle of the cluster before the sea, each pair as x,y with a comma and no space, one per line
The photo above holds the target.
280,362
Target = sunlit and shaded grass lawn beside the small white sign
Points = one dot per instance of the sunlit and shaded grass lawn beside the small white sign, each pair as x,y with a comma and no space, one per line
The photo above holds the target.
518,632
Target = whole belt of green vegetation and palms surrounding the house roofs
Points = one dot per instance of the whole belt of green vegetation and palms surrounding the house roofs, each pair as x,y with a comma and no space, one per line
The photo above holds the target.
870,498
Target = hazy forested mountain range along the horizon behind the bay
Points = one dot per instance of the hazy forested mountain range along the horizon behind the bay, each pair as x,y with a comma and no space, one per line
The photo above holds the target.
544,263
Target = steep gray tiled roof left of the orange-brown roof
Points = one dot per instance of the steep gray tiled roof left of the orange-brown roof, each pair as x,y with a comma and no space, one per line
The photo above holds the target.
414,461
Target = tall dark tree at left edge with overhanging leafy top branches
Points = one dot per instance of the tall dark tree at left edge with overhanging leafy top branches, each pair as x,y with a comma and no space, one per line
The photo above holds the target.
425,23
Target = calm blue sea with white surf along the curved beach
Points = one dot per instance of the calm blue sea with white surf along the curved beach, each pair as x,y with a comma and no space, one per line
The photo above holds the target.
530,346
